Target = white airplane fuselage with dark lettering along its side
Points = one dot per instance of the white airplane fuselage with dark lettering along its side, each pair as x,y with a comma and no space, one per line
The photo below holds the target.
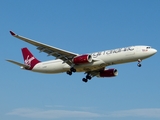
101,59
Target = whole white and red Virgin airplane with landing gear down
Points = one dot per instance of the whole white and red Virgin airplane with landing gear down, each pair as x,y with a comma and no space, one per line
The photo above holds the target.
93,64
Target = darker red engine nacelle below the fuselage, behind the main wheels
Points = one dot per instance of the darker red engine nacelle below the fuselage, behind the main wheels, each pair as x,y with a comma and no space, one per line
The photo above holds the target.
108,73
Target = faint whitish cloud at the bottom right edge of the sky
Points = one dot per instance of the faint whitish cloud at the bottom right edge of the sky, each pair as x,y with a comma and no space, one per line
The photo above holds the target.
152,113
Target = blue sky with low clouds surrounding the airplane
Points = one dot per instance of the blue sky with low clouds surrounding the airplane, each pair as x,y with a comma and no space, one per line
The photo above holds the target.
83,26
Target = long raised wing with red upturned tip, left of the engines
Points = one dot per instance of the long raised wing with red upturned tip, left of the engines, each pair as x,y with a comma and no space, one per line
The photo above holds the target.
64,55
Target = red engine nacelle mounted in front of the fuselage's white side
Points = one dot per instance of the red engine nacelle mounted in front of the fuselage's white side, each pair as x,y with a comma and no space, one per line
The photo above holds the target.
82,59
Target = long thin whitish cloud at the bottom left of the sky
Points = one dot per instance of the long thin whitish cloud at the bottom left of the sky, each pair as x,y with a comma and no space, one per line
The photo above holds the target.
51,114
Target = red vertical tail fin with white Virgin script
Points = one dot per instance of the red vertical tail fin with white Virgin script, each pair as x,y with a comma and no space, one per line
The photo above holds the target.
29,59
